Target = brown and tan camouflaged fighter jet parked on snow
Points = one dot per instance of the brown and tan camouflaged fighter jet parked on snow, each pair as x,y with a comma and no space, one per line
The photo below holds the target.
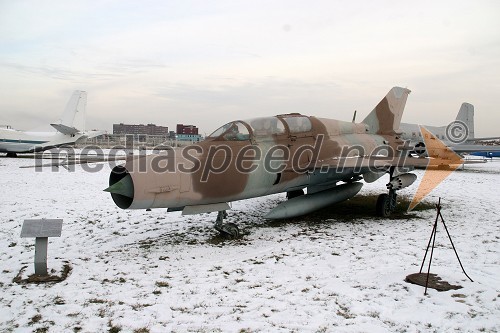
285,153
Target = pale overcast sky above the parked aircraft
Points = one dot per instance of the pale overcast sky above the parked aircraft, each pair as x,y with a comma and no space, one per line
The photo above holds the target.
209,62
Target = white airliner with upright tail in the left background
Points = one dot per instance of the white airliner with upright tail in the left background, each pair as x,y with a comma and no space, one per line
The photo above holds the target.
69,129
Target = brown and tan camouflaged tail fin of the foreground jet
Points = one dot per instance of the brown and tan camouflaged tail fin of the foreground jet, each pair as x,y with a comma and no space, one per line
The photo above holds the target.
386,117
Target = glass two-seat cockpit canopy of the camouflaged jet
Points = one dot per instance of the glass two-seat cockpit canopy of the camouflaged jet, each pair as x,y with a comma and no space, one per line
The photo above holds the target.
259,128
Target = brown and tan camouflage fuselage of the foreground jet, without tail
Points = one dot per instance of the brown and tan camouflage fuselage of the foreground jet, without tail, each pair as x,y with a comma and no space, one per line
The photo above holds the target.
220,170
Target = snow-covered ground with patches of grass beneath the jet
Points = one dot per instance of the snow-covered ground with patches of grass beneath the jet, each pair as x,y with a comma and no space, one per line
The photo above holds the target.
139,271
